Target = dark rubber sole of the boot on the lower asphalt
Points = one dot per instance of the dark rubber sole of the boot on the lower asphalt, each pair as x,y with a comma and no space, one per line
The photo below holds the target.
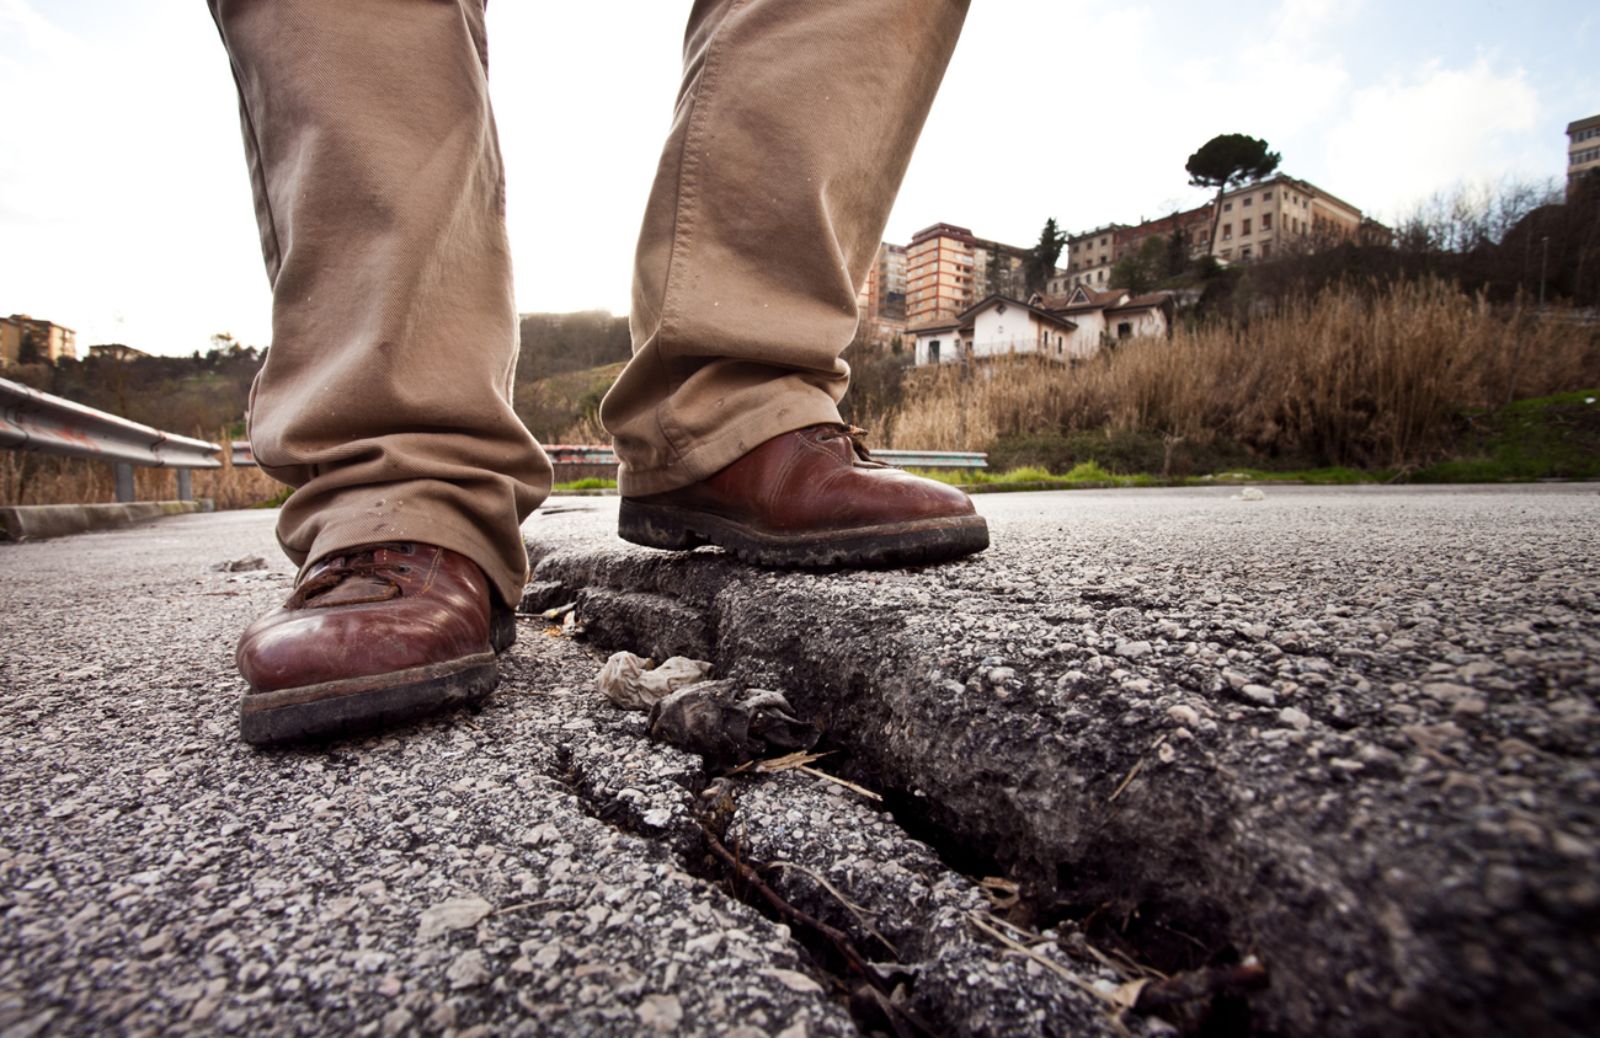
353,706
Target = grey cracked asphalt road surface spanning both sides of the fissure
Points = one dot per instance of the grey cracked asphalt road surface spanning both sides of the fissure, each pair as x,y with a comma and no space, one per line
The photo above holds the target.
1281,701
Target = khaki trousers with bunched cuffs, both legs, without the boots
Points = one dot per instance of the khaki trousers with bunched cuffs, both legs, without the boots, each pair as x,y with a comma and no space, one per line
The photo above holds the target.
386,394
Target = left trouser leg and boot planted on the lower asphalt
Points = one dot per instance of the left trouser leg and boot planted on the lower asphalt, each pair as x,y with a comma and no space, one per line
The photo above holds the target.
386,394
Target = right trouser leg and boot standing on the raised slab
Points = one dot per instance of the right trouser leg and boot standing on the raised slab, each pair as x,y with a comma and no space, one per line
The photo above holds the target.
793,132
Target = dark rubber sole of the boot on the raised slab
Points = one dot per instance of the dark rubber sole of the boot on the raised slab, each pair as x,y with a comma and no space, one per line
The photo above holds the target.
889,545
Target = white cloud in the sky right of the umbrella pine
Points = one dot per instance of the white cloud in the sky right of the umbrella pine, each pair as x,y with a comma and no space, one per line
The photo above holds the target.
1406,138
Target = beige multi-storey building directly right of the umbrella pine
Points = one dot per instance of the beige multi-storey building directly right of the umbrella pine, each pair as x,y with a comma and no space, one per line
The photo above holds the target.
1281,214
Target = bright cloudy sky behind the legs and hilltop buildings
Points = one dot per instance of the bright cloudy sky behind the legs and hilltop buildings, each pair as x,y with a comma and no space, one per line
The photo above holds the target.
126,207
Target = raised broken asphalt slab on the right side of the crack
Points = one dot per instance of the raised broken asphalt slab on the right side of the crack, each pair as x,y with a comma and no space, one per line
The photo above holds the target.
1351,732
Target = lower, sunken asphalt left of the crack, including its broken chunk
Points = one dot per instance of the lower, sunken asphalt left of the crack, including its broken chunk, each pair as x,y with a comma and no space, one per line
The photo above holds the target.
526,869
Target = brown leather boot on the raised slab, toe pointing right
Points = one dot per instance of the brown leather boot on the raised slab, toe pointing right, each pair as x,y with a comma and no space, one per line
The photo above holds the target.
812,498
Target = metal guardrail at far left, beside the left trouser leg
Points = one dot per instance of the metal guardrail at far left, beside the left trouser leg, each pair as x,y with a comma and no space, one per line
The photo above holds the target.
34,421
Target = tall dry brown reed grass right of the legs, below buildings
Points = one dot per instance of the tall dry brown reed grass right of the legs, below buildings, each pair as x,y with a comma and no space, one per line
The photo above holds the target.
1346,380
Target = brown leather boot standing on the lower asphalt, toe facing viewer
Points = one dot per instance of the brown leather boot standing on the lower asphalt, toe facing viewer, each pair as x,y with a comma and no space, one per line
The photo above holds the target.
374,636
